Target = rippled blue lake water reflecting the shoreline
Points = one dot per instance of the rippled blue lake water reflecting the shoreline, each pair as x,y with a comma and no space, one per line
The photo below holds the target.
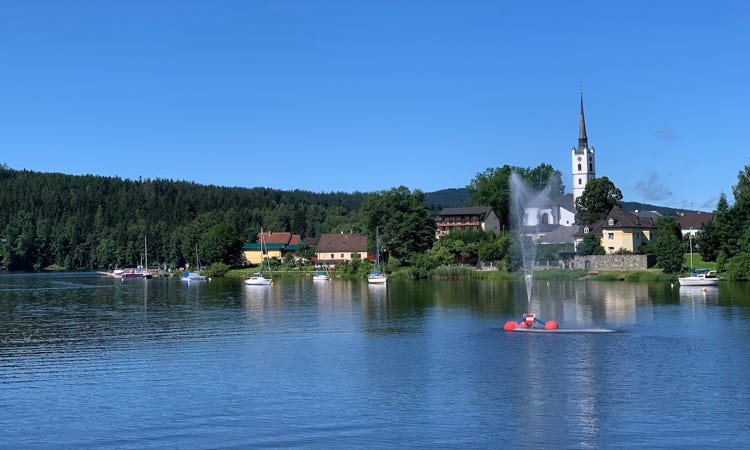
90,362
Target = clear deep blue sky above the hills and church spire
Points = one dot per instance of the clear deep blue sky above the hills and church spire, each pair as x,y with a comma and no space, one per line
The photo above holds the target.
369,95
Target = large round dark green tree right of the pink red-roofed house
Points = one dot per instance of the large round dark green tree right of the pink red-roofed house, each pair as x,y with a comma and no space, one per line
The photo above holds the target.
402,220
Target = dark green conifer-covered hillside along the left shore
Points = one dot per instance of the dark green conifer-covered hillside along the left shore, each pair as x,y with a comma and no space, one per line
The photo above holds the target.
91,221
